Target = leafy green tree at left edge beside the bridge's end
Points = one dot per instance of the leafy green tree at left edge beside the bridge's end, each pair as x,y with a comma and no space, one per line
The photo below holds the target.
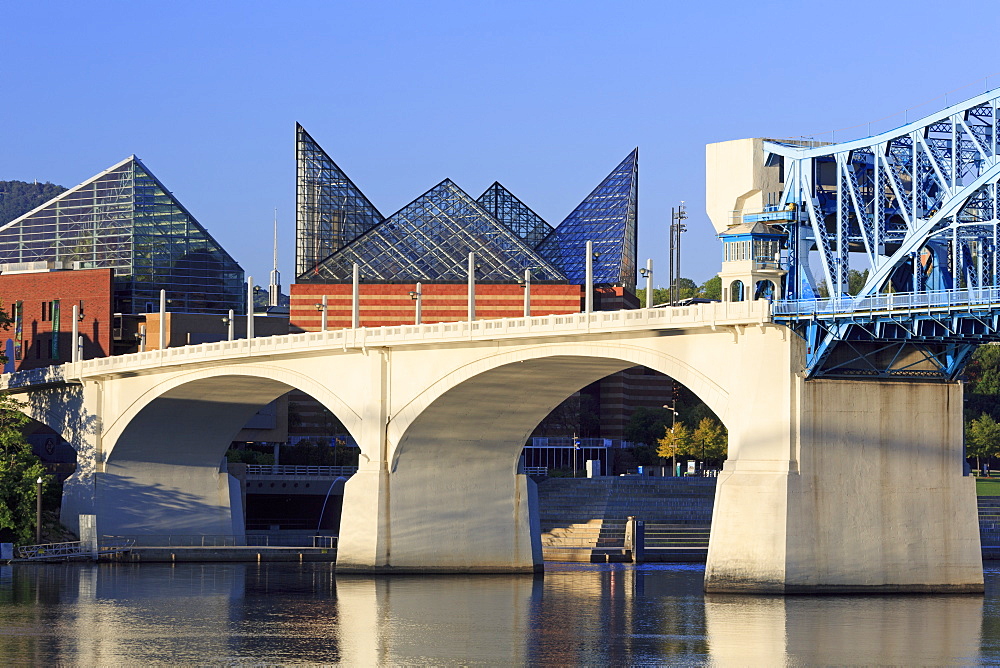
19,469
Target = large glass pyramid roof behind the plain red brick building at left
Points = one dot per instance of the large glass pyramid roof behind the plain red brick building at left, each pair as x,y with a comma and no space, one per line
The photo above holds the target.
126,220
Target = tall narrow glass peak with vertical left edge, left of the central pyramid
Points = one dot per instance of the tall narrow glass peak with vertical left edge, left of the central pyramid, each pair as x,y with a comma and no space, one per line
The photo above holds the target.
330,211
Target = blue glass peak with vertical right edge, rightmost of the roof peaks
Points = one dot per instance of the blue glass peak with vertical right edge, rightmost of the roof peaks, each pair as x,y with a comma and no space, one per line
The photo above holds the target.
608,217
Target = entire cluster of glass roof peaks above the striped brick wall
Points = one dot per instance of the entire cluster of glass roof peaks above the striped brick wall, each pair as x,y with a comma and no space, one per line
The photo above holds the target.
430,238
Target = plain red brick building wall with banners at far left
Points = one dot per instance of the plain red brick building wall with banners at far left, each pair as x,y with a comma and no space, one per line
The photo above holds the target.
90,287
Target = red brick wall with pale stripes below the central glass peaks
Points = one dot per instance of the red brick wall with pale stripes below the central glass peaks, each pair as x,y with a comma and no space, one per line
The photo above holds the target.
386,304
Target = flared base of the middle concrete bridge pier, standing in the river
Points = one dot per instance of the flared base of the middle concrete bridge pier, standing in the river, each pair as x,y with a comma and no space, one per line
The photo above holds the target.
476,519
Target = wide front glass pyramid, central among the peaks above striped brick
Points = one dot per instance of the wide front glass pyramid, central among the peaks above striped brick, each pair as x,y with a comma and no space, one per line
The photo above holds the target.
430,240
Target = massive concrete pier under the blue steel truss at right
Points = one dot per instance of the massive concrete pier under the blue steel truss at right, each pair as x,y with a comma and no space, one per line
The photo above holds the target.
861,490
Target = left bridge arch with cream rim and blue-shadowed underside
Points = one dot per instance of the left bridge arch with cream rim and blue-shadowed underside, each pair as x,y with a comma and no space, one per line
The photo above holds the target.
164,454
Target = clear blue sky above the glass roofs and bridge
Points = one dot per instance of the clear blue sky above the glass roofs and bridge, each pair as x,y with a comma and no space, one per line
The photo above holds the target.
546,97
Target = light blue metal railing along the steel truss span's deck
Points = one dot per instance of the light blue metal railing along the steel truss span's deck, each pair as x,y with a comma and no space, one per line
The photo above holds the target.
967,297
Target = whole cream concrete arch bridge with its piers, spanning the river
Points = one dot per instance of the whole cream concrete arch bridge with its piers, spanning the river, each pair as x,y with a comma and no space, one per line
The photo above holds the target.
830,484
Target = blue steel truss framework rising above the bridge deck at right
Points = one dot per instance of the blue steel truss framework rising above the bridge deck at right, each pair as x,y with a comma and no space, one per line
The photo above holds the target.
915,206
